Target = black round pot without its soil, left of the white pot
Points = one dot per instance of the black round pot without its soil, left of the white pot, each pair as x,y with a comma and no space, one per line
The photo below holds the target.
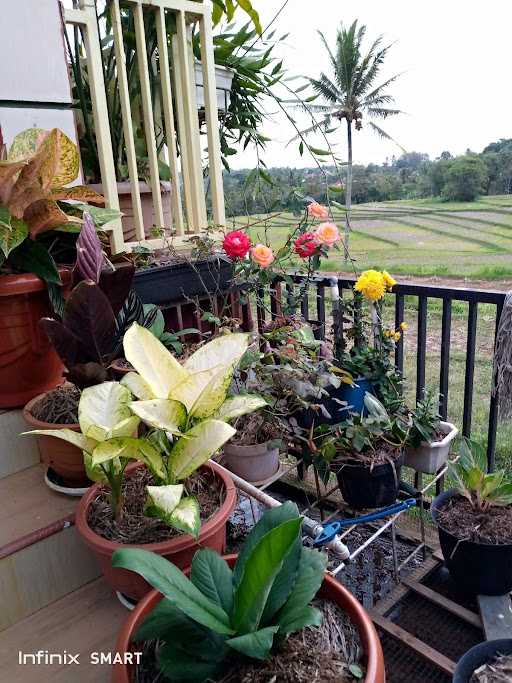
365,488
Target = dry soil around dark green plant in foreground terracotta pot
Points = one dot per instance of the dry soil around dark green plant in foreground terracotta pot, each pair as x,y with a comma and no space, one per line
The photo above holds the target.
323,653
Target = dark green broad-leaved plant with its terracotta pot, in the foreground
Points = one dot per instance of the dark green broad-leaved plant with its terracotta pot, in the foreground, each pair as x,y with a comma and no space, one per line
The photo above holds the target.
241,614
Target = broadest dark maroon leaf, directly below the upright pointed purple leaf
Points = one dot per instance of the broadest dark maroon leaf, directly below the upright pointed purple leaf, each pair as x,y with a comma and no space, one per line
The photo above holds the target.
89,317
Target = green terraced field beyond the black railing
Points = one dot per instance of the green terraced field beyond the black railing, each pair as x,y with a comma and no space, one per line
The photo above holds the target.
417,237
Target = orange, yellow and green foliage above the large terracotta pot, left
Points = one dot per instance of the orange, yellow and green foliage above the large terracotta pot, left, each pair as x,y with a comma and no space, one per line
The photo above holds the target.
34,200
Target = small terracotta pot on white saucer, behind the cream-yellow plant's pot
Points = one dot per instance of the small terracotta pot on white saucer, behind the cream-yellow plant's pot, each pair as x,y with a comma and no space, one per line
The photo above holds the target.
65,459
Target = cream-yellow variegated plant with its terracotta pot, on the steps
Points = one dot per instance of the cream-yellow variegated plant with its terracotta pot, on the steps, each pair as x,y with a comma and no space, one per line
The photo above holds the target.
160,502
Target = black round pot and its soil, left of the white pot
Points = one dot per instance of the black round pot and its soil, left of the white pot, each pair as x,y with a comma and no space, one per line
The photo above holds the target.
366,483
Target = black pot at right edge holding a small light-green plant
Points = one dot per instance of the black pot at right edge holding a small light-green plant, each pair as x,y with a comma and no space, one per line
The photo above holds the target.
478,568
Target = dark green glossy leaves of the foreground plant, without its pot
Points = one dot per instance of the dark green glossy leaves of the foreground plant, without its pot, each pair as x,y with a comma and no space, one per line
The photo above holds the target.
206,621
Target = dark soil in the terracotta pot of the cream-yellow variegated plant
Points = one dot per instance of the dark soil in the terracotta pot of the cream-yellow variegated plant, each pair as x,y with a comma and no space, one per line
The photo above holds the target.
134,527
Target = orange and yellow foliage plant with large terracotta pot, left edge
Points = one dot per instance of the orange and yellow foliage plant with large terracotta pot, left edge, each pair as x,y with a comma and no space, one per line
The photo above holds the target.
37,226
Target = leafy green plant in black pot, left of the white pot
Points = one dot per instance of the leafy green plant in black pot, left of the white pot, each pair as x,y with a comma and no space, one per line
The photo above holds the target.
366,453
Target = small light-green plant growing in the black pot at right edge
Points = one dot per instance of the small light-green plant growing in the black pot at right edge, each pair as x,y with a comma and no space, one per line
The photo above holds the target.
469,473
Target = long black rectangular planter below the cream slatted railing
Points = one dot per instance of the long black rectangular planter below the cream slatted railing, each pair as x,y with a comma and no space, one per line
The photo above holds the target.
171,283
